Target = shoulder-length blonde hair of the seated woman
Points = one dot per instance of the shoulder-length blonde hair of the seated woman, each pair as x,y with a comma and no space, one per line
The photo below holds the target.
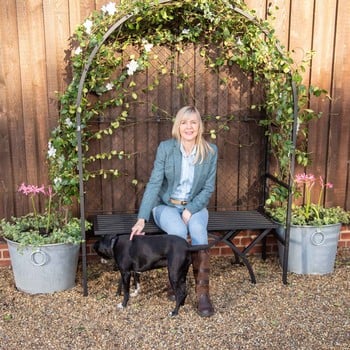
203,147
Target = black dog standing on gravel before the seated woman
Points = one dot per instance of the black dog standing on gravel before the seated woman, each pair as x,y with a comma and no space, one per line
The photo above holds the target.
149,252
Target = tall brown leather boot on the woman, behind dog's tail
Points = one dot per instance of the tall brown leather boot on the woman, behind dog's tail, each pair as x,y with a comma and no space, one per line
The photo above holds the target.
201,269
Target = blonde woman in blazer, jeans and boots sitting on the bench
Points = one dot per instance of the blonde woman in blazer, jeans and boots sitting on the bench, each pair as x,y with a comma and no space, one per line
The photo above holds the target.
178,192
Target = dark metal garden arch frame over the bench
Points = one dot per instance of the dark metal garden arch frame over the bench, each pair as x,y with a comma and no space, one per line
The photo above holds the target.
86,68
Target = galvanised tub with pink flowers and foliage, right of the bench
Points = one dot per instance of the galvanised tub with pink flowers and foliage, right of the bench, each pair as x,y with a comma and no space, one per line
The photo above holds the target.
314,230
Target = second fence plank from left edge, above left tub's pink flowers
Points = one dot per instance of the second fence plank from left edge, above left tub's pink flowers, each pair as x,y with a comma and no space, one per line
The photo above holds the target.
34,88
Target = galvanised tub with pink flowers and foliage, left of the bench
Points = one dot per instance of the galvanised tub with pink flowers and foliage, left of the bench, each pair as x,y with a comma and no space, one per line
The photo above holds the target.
44,248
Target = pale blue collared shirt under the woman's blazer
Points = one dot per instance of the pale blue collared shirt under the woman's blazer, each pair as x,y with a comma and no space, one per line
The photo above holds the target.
184,187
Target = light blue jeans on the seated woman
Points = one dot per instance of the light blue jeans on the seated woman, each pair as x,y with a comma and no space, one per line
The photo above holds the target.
169,219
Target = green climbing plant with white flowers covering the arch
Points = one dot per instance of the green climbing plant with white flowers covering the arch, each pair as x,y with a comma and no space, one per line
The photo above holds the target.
225,33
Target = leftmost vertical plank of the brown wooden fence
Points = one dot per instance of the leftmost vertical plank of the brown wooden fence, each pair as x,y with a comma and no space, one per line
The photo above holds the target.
12,159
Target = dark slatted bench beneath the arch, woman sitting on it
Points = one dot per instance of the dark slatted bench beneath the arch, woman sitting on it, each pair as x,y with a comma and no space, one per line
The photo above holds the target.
223,226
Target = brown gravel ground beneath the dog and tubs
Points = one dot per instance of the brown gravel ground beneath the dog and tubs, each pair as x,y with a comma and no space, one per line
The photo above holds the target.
311,312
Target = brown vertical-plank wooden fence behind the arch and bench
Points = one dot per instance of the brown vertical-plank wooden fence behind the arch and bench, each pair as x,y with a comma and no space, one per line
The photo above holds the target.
33,58
